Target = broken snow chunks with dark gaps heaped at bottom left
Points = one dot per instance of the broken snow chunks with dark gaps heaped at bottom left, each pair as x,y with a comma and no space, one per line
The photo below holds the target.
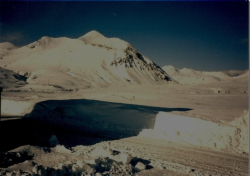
80,160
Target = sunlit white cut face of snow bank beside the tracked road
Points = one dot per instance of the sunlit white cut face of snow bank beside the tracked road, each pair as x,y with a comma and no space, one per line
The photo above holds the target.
201,133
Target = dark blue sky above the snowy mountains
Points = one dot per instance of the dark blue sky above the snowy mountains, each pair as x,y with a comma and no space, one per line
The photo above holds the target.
200,35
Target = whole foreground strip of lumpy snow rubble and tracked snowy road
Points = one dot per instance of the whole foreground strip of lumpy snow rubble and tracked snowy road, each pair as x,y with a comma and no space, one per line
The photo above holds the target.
129,156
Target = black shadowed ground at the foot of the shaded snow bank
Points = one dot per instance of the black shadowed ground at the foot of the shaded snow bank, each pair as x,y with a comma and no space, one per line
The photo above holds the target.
15,133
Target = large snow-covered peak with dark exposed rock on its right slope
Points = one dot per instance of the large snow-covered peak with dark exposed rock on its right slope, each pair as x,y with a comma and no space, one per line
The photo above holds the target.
91,60
